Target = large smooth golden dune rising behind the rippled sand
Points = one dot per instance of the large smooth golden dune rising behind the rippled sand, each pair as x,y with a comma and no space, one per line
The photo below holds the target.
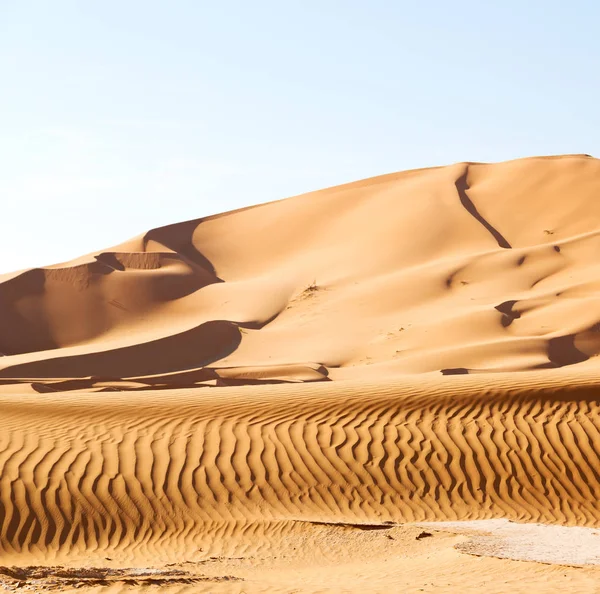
467,268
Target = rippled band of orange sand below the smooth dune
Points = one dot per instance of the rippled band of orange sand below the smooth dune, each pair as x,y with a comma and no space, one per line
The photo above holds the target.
144,478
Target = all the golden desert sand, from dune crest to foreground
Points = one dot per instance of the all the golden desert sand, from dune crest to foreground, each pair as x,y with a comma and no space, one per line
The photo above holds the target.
390,385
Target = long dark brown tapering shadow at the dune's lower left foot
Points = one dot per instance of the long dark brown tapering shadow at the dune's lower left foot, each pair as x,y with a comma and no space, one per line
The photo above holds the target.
194,348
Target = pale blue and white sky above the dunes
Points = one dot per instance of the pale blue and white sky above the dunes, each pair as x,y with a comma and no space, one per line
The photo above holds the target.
118,116
